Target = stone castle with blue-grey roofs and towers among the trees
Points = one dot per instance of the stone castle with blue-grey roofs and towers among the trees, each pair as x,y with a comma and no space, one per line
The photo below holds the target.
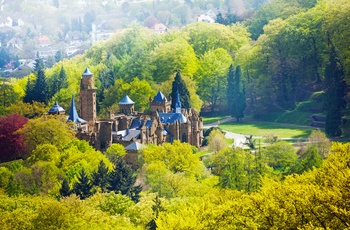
129,127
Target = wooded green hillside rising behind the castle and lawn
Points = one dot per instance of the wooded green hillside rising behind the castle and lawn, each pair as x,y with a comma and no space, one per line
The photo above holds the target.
283,52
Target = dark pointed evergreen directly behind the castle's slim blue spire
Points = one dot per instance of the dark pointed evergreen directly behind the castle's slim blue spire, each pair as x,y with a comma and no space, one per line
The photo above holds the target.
180,86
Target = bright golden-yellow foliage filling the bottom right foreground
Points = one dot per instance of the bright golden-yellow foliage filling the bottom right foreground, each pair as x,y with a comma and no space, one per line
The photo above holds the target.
315,199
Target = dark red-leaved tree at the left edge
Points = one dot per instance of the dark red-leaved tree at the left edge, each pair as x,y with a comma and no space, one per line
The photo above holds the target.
11,142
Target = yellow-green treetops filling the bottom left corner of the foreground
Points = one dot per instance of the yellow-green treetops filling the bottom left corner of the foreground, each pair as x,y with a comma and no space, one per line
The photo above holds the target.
45,213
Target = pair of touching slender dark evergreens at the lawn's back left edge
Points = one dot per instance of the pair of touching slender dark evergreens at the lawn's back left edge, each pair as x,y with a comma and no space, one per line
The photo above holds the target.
236,93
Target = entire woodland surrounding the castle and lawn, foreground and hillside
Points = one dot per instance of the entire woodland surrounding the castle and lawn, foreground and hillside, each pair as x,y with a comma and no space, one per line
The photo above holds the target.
285,54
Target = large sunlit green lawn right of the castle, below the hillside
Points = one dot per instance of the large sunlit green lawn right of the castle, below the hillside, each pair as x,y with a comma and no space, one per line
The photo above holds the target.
263,128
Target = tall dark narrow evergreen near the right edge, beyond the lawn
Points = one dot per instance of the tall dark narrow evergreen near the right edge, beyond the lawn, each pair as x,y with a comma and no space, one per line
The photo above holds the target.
335,86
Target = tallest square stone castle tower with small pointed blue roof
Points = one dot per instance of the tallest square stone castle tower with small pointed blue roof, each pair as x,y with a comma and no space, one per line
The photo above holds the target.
87,96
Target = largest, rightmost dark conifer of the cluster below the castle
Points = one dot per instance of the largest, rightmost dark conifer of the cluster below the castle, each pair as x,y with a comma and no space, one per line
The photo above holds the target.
122,179
